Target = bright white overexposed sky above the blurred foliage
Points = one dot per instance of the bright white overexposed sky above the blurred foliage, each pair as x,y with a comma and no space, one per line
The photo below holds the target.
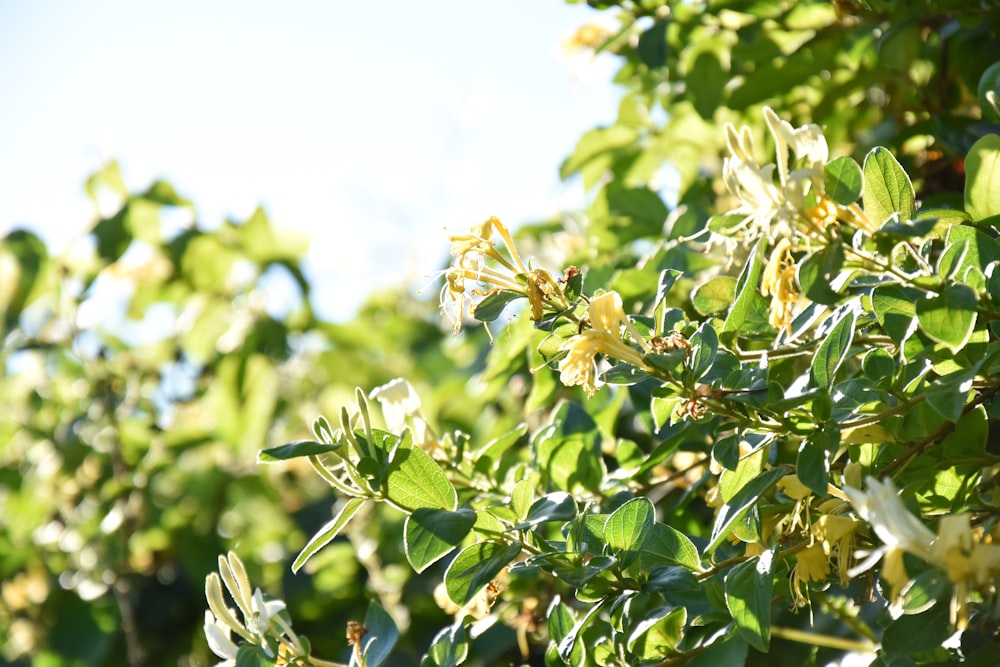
373,127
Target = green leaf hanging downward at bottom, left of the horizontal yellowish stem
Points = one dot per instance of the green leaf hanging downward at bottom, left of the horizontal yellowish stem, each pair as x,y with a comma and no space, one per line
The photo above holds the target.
748,597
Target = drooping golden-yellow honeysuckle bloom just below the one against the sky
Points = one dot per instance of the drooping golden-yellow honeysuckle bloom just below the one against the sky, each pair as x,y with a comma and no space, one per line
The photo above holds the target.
607,317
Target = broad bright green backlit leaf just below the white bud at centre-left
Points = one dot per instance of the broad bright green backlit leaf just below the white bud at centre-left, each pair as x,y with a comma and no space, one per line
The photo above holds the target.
416,480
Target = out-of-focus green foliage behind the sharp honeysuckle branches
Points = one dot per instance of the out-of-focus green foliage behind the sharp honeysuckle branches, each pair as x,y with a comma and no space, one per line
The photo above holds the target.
145,367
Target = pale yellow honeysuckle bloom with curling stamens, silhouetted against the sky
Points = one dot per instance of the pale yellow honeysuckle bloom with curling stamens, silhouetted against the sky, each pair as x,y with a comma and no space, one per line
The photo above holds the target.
476,258
